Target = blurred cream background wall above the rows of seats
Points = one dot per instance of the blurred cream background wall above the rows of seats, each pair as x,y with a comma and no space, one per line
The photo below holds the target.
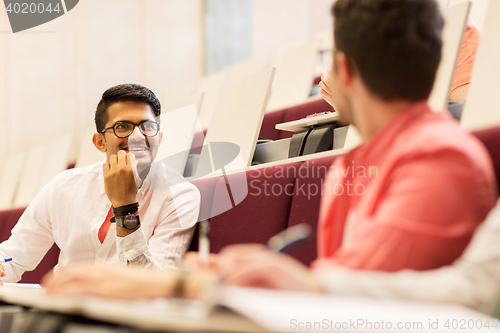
52,76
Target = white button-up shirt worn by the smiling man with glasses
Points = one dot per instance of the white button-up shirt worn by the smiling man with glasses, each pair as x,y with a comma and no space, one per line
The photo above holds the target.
71,208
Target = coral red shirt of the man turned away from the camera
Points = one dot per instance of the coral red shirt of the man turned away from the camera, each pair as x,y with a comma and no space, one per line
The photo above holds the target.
414,195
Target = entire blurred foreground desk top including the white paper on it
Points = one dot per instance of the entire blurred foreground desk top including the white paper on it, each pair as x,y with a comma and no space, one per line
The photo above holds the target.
277,311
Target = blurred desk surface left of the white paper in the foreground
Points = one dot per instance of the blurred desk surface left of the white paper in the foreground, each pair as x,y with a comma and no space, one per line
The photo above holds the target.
157,315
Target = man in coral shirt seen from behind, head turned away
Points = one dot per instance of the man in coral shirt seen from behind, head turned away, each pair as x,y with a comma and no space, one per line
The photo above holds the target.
425,184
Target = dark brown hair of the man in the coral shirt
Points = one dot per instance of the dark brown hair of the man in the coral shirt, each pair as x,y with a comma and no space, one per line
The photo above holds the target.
394,45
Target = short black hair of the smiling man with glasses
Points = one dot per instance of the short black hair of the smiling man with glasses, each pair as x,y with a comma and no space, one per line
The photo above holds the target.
124,93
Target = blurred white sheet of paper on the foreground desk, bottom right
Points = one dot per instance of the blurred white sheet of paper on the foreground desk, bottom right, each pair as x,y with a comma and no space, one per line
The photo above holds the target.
300,311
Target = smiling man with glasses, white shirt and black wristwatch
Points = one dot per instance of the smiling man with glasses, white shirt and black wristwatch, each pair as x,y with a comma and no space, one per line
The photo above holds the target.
128,210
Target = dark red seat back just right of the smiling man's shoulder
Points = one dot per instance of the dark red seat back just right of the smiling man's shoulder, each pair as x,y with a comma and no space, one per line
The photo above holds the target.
262,214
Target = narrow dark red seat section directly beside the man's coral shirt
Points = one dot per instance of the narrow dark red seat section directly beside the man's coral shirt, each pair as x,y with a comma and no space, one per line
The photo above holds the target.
305,203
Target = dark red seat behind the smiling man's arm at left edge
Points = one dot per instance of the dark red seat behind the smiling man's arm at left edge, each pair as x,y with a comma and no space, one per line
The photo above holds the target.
8,220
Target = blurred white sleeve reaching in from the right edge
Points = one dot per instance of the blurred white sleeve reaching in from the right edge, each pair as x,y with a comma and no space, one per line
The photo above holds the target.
472,280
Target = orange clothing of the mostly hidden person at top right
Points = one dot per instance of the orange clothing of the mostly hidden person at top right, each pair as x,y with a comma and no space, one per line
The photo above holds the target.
467,56
